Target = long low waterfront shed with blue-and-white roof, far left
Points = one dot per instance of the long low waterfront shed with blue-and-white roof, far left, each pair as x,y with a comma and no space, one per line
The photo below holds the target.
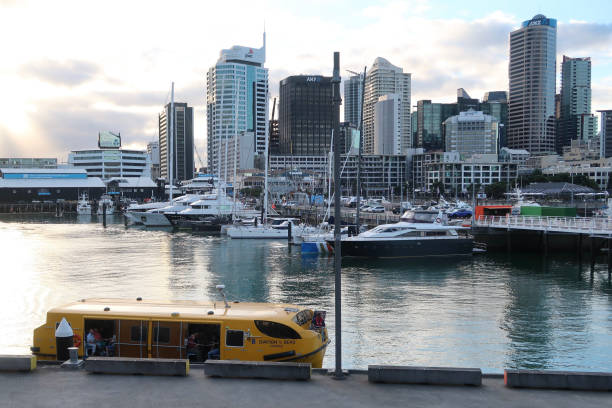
23,185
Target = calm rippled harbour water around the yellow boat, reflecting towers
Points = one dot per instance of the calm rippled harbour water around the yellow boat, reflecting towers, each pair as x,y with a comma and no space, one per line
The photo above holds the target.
489,311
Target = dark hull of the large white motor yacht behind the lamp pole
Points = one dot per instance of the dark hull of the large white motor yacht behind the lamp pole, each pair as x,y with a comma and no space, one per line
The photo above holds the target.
398,248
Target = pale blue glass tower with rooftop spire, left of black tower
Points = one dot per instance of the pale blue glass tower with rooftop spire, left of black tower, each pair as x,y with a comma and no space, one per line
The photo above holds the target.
236,101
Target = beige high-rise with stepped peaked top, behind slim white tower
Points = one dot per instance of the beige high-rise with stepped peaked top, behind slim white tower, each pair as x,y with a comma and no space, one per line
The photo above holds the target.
384,78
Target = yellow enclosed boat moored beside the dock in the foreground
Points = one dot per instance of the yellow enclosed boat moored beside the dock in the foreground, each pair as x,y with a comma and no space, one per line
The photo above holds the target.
188,329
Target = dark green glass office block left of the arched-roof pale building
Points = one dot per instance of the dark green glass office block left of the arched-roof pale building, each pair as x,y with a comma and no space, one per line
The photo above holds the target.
429,127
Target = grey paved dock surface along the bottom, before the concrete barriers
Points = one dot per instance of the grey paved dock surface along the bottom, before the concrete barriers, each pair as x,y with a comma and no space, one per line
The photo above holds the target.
51,386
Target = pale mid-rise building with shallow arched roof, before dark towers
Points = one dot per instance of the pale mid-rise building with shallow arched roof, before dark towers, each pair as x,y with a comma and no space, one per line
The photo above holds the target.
471,132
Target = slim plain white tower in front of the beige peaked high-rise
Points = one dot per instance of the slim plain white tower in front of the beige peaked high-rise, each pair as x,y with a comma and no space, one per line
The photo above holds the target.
387,124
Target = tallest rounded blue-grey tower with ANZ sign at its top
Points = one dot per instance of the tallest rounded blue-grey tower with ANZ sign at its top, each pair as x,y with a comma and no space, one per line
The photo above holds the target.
532,70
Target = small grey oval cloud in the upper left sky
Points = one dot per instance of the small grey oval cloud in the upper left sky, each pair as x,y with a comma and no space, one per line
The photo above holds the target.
67,73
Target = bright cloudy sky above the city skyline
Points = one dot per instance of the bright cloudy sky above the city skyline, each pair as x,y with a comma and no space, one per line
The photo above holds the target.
72,68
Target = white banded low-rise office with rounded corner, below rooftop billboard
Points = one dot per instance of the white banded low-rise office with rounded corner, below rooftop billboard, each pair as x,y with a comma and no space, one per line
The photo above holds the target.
108,163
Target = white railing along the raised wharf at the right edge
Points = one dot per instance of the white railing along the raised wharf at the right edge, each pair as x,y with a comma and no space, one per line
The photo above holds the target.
577,225
